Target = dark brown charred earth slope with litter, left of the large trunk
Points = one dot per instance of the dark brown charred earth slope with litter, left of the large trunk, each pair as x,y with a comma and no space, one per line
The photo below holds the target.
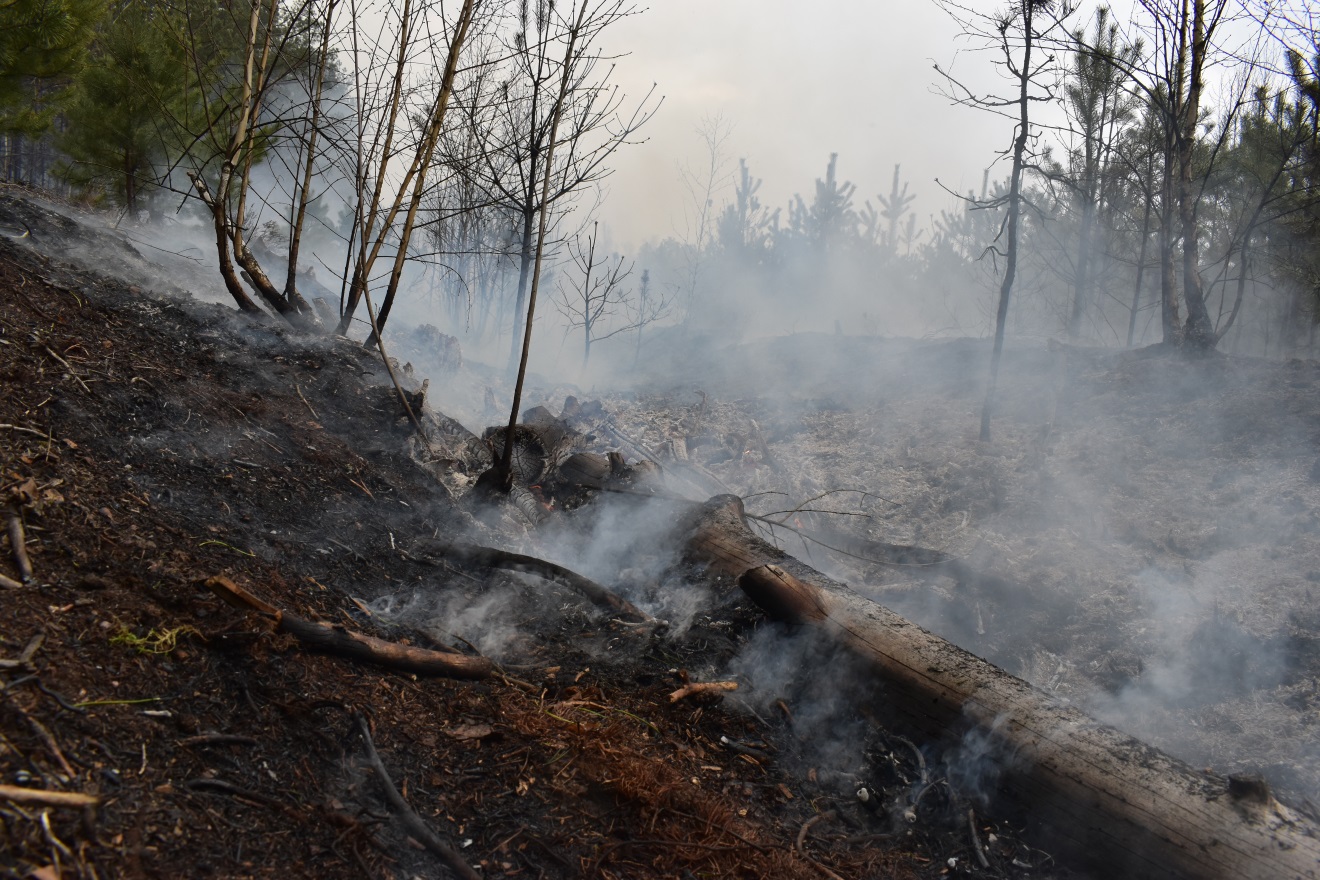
150,444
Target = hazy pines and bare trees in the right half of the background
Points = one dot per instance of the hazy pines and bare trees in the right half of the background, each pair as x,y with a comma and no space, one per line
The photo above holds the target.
1153,208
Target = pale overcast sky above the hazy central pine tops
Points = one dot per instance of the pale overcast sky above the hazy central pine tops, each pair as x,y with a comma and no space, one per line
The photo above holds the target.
799,81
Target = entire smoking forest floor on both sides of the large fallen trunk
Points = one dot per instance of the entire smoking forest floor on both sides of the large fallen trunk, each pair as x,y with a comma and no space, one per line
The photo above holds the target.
1146,532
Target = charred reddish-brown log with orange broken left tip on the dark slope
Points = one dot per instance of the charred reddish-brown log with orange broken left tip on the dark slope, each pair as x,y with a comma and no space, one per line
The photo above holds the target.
332,639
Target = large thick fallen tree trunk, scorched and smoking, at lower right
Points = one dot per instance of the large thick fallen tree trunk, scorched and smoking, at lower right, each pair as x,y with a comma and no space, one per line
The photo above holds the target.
1107,798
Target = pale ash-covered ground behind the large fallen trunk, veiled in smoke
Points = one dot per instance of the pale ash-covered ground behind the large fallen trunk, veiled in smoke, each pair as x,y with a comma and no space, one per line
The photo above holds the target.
1141,536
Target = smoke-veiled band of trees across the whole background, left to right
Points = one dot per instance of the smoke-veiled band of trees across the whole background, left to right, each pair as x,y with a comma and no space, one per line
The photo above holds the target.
362,152
